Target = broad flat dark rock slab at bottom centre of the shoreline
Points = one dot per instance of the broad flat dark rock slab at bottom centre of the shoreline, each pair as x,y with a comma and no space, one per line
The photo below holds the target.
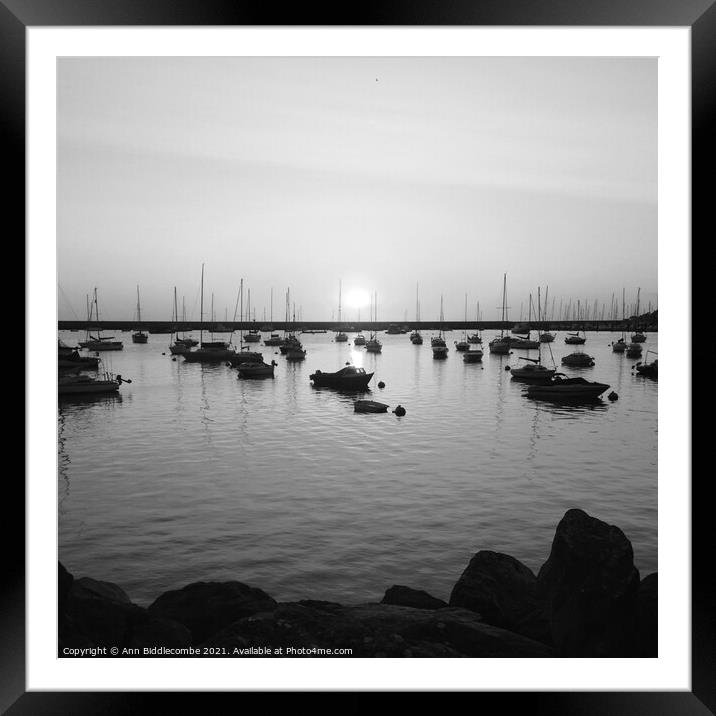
378,630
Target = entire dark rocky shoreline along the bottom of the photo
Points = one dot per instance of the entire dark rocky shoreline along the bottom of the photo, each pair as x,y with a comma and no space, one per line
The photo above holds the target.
587,600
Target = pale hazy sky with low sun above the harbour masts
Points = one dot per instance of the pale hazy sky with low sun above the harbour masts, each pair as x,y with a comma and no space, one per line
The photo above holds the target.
380,172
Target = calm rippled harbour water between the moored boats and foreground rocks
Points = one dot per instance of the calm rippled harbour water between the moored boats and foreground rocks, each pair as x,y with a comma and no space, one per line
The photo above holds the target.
192,474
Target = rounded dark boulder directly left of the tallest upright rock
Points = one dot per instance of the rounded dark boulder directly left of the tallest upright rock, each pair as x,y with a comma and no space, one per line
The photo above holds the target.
503,591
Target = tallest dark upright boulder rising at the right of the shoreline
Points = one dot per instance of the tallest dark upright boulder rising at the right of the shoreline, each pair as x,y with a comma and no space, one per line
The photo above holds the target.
589,585
